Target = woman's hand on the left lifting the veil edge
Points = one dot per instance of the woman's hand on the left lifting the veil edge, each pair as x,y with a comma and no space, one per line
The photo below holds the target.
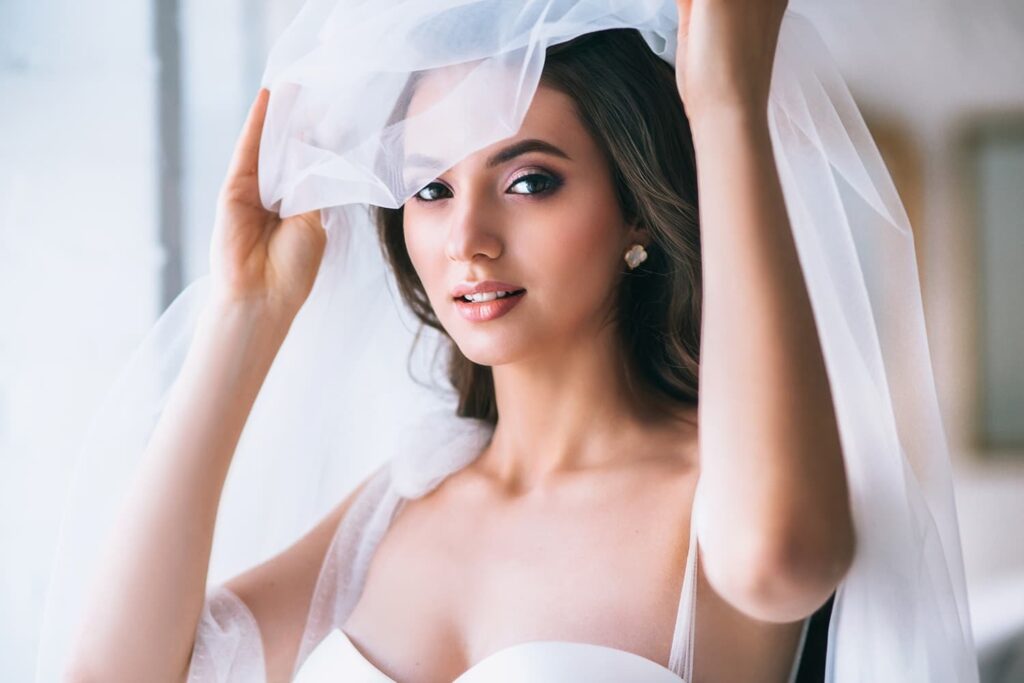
257,258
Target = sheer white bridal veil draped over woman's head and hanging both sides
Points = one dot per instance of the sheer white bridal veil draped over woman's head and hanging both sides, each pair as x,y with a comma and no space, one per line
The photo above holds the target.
346,397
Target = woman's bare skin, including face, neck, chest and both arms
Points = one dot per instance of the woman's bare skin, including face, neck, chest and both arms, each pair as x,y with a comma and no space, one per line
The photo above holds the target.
574,524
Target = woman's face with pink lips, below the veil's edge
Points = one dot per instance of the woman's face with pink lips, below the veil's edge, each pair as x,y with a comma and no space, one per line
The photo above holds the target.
536,212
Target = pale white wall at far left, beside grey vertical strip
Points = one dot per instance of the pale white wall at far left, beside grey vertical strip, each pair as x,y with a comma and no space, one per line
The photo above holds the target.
78,263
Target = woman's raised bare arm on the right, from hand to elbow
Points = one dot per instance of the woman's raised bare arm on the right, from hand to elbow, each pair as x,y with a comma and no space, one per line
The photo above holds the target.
777,533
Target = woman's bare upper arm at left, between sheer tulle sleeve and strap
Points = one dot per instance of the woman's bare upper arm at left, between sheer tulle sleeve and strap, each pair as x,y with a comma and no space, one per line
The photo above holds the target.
279,591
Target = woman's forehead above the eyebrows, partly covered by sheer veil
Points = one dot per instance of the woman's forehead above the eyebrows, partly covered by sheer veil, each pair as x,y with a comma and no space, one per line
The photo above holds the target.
446,121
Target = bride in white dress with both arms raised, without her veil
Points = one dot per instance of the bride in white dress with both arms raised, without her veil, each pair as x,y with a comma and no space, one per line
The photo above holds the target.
584,289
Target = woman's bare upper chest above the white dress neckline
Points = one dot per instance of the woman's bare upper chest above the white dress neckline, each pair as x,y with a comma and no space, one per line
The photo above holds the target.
457,578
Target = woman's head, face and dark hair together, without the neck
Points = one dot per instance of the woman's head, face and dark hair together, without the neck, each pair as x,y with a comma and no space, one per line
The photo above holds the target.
552,225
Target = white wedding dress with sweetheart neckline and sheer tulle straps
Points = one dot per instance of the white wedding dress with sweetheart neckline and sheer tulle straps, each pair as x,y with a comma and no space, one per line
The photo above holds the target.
229,647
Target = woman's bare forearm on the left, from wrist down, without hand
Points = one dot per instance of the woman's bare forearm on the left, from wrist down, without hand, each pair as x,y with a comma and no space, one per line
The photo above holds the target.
144,610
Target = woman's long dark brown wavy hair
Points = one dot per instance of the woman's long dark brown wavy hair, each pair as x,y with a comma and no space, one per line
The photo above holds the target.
628,101
